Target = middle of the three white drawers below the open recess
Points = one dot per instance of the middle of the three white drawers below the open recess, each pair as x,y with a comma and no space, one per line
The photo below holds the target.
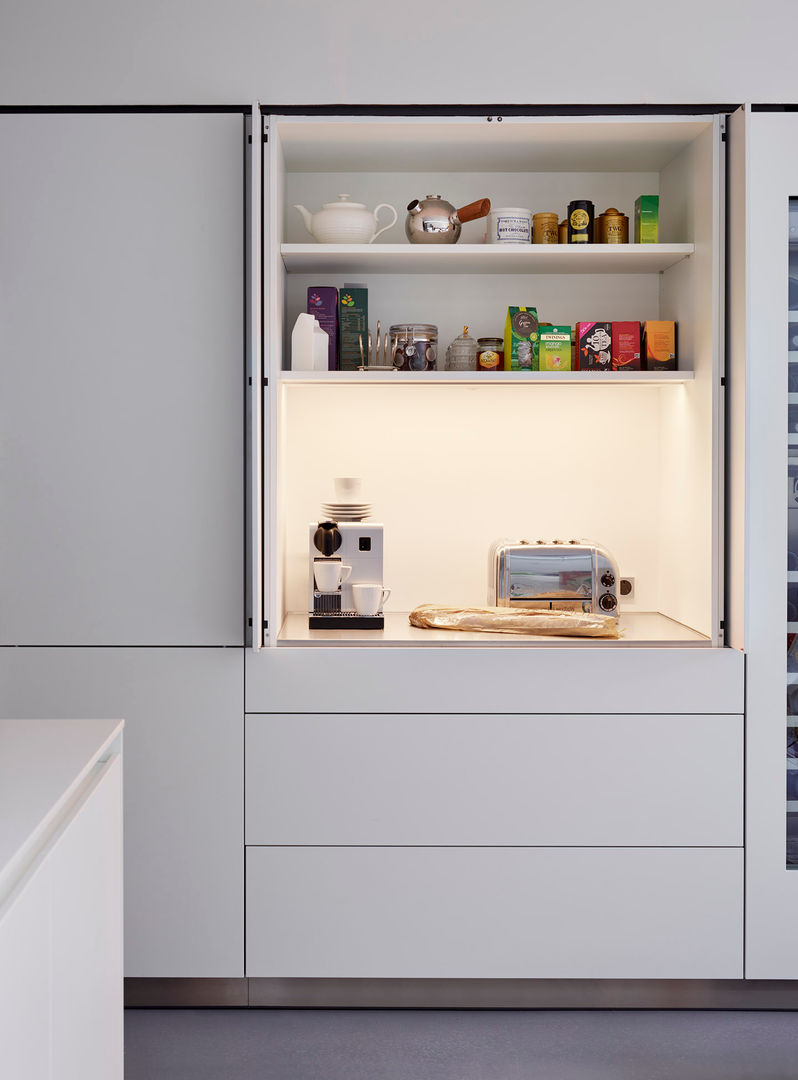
498,780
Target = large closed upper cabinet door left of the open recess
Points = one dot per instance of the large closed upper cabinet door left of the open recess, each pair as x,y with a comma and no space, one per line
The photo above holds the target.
123,406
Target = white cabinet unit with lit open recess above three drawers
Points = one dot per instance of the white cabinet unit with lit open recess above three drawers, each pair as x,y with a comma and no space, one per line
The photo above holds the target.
424,805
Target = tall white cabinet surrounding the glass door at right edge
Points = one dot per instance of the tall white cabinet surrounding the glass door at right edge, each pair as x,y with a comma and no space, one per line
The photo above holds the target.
765,523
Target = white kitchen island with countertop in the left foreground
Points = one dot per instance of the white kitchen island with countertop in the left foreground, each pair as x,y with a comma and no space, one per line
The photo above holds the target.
61,900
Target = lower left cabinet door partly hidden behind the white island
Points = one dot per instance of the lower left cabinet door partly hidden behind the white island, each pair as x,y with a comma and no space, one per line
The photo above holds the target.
183,791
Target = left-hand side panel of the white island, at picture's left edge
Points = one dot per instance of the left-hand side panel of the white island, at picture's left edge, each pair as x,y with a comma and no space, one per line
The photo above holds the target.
26,1022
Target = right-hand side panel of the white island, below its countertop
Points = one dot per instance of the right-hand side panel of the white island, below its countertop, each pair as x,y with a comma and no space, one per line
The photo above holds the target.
88,979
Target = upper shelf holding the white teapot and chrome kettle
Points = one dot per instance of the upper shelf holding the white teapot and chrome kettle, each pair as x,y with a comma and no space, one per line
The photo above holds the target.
483,259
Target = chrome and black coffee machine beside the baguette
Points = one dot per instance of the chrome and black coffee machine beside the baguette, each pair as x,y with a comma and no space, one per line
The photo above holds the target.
343,555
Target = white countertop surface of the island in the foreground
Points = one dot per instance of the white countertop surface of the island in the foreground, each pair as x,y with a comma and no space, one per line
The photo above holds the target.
43,764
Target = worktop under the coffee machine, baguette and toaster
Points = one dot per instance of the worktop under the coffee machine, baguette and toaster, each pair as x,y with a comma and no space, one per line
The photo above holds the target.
641,629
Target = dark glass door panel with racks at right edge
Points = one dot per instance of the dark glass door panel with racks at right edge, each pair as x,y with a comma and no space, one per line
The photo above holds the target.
792,853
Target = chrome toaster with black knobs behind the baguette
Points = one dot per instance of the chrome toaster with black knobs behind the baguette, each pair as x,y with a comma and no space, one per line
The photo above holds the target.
564,575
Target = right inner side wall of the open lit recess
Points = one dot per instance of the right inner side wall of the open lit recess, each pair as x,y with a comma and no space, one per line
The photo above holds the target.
692,440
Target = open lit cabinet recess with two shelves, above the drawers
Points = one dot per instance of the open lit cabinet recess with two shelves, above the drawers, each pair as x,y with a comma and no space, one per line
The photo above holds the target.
454,462
